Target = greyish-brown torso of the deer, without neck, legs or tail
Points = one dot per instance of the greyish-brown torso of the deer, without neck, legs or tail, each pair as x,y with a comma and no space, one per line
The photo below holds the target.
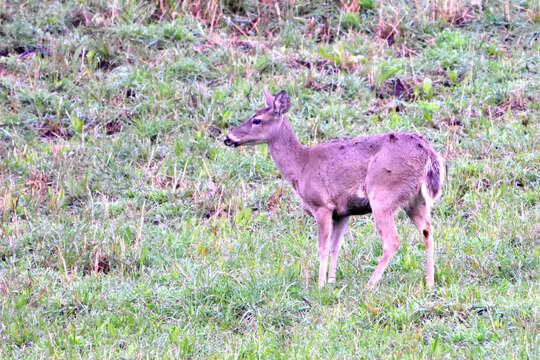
340,174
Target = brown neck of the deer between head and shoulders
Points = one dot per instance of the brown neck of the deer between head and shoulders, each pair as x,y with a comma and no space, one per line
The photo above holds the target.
289,155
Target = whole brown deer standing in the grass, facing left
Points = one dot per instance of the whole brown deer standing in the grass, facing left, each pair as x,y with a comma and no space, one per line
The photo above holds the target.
378,174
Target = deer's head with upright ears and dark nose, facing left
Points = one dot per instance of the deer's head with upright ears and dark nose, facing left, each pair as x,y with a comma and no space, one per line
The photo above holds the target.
264,125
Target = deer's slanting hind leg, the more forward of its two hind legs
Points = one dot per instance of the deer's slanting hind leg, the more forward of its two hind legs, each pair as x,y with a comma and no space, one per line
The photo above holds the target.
384,221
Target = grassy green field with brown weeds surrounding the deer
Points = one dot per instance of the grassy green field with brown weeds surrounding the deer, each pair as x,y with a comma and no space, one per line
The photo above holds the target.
129,231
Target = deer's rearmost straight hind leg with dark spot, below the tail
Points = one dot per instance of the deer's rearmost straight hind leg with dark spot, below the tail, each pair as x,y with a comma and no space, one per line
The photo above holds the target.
418,212
